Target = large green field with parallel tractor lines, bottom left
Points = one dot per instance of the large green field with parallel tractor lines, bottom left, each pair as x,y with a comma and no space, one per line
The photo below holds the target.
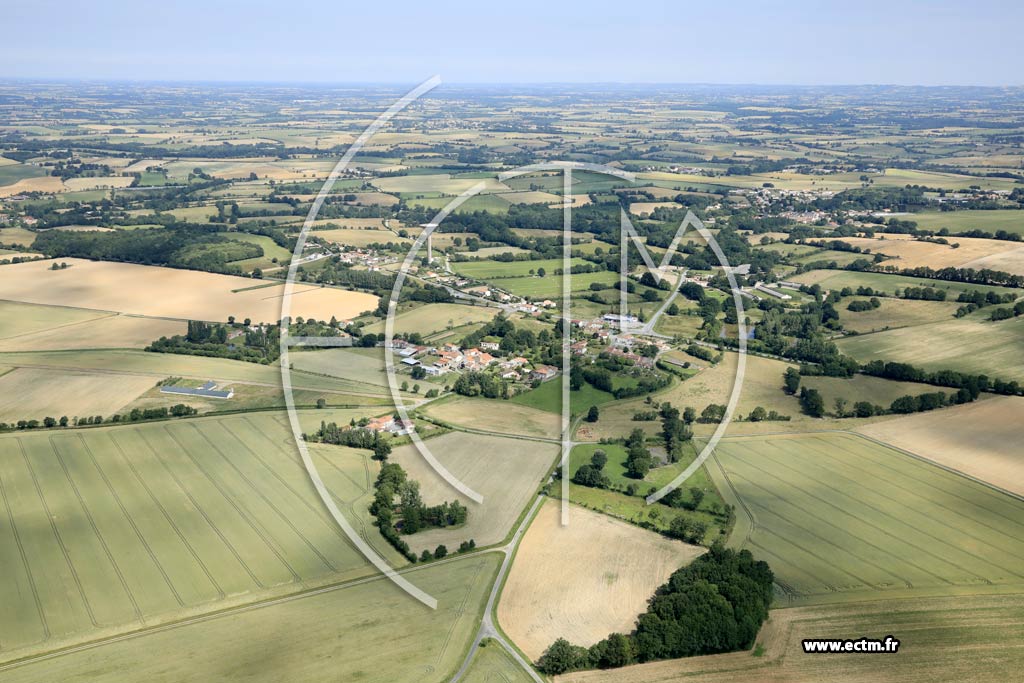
119,527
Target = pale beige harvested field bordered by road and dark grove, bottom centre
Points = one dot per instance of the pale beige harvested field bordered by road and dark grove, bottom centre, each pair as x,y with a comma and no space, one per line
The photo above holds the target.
584,581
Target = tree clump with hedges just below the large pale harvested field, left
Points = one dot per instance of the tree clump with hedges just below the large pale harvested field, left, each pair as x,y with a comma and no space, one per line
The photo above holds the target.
262,346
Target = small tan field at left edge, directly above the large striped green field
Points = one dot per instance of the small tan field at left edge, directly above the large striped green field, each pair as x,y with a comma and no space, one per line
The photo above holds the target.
33,394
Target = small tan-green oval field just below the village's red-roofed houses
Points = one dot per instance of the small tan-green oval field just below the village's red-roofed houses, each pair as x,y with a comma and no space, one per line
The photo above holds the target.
498,416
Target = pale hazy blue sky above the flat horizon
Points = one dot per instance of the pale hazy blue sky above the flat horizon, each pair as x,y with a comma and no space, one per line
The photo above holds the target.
904,42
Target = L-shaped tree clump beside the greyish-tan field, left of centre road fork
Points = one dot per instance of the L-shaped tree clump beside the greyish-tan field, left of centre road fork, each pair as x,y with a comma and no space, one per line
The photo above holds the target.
410,515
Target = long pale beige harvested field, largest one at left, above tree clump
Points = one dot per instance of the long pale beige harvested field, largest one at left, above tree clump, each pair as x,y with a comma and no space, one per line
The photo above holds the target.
159,292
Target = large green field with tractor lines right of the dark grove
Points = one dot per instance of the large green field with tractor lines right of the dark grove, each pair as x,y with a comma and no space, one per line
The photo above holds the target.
840,518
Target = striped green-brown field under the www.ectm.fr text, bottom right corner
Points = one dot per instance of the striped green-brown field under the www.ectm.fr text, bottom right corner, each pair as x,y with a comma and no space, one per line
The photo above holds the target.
969,638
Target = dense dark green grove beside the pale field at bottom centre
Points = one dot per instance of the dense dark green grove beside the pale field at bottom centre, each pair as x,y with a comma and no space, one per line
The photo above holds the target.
715,605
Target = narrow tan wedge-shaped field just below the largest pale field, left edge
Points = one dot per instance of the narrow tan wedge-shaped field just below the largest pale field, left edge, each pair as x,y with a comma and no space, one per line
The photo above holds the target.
110,331
